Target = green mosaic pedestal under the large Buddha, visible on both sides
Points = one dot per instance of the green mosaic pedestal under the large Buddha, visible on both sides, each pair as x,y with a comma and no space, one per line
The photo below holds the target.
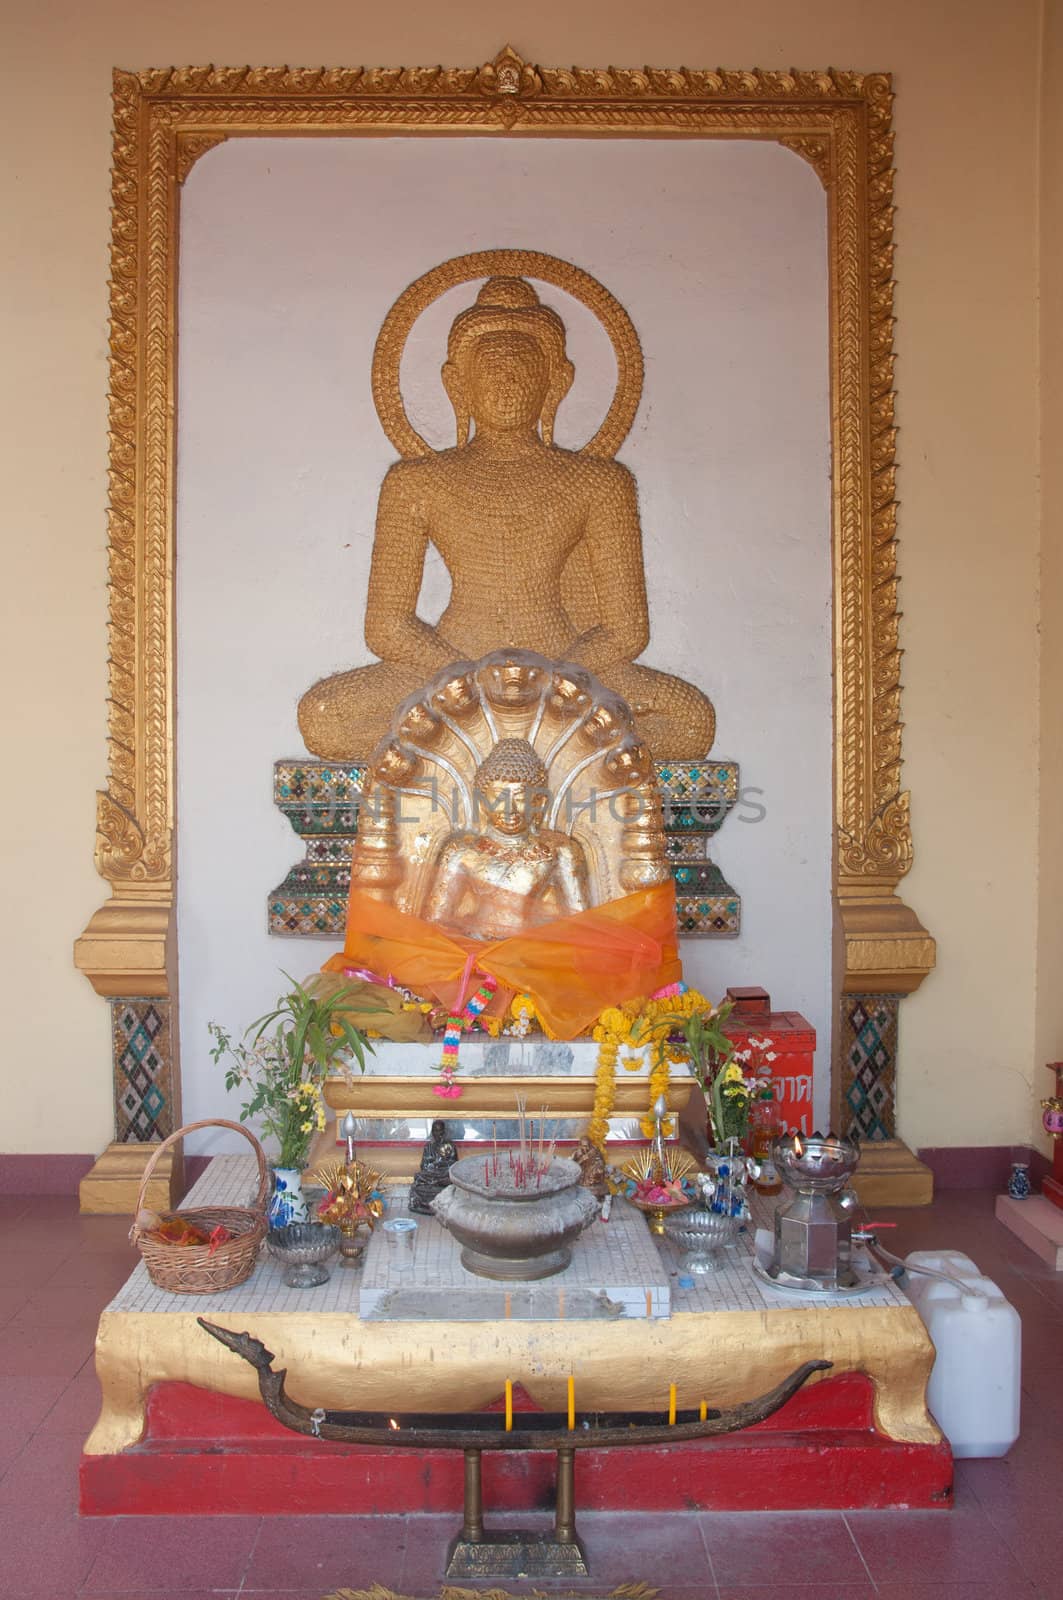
321,802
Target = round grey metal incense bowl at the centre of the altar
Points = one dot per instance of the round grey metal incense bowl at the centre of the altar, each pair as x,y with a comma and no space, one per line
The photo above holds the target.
515,1233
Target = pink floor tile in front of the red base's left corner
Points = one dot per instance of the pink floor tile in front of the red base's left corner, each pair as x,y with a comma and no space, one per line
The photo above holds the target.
182,1553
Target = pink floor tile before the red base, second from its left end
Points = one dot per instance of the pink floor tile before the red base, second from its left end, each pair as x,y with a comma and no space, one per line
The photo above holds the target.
353,1553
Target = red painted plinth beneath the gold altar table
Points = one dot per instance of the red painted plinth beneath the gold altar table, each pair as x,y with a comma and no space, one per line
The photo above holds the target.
206,1454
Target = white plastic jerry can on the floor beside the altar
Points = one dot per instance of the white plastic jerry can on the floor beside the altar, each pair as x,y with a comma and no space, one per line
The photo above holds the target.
974,1390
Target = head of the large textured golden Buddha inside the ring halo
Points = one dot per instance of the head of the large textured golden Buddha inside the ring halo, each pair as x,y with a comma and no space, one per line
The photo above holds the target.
507,367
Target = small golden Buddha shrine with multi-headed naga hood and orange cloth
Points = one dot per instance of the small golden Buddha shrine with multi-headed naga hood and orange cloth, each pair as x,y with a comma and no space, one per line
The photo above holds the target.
510,841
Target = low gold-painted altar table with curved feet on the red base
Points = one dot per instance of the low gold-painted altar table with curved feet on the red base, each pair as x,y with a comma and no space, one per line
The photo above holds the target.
742,1340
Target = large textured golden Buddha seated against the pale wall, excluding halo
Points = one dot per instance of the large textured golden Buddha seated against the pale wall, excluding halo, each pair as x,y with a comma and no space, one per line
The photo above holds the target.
542,545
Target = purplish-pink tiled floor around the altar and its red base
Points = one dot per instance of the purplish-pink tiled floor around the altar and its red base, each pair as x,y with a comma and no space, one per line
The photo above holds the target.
57,1271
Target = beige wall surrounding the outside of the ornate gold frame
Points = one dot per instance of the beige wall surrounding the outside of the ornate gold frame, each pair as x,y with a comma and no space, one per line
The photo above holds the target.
968,340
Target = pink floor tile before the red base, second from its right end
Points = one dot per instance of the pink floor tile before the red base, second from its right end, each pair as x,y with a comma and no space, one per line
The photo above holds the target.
761,1550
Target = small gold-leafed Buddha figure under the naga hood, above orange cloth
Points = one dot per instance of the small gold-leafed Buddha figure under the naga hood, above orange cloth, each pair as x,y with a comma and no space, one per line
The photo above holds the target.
508,873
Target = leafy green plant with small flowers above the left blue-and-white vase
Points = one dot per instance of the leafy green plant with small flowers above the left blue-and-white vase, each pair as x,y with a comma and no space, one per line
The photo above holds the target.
286,1057
